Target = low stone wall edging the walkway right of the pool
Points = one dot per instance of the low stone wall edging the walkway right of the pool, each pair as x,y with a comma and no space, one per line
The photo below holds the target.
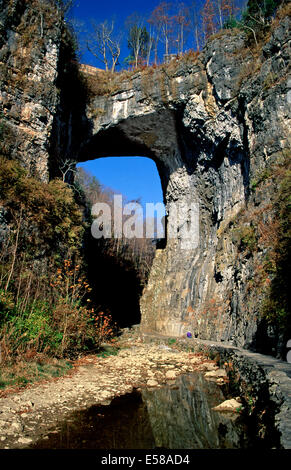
262,382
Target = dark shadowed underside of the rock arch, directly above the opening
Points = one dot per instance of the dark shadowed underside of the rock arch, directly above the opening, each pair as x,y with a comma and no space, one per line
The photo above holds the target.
152,135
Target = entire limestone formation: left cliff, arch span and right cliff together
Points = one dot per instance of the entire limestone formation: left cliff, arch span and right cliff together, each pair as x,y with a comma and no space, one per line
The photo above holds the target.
213,124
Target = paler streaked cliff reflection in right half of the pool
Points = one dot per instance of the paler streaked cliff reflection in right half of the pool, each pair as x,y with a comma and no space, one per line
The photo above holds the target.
181,416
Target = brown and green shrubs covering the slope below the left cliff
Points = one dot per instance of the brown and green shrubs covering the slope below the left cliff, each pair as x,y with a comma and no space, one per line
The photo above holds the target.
43,293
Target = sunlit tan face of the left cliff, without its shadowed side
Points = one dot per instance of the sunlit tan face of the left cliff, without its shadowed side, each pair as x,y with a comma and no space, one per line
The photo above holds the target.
29,53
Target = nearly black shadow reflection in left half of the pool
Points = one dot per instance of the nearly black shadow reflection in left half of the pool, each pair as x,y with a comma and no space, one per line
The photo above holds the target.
124,424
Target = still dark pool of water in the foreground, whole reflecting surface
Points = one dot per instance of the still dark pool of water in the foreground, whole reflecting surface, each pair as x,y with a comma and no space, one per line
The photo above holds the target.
177,416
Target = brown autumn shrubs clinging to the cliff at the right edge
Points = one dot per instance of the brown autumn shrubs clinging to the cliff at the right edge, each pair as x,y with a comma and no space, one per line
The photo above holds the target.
267,240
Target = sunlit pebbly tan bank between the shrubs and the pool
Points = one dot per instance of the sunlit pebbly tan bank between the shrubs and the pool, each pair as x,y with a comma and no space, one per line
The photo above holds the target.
31,414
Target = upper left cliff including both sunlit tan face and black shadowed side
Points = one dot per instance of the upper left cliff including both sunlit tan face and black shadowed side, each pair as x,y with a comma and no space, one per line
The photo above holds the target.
39,75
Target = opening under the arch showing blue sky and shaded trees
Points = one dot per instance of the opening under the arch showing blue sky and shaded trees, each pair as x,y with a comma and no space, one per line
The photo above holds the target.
118,266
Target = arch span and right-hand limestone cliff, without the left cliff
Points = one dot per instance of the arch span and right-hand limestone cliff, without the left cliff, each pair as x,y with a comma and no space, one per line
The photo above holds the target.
212,127
